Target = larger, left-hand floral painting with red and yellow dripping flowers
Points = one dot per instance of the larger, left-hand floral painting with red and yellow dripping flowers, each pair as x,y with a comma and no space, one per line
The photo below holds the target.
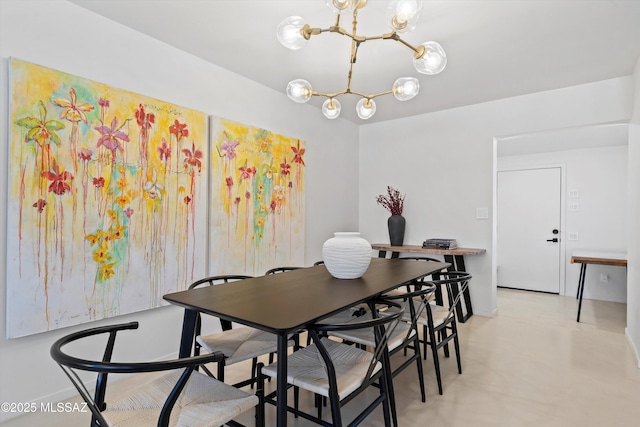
107,200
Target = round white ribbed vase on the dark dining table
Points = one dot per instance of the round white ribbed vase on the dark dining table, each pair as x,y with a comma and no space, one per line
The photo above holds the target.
346,255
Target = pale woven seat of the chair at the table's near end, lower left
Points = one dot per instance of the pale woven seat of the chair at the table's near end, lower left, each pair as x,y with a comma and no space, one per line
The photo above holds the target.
204,402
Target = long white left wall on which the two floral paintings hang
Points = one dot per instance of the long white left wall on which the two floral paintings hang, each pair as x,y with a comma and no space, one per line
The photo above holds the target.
63,36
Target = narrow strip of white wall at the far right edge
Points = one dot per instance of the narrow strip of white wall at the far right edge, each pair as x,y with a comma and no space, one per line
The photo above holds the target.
633,270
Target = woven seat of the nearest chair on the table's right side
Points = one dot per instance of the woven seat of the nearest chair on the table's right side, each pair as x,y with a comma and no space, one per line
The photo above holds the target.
306,368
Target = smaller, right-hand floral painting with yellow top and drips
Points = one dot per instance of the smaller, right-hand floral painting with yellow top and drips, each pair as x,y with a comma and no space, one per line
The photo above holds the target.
257,186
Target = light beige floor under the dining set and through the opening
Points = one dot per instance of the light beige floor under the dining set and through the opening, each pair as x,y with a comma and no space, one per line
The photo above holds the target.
531,365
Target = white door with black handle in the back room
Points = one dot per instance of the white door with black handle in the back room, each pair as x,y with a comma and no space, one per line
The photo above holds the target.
528,223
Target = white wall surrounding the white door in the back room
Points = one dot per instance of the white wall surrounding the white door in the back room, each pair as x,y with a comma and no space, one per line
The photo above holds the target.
600,176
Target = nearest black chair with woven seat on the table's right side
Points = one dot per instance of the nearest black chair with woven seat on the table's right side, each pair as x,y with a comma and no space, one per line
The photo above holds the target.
339,371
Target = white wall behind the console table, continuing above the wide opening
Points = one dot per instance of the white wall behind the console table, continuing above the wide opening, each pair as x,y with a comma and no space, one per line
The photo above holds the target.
443,161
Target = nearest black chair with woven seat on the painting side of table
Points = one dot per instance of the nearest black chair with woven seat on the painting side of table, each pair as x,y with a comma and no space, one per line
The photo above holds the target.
237,344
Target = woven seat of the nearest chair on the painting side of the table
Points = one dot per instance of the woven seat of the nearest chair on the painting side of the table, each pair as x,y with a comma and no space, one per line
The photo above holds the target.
240,344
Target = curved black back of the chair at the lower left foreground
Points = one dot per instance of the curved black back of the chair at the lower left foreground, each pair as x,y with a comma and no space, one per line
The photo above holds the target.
96,403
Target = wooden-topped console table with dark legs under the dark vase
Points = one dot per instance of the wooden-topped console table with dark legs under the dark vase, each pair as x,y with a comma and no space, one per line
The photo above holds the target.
453,256
